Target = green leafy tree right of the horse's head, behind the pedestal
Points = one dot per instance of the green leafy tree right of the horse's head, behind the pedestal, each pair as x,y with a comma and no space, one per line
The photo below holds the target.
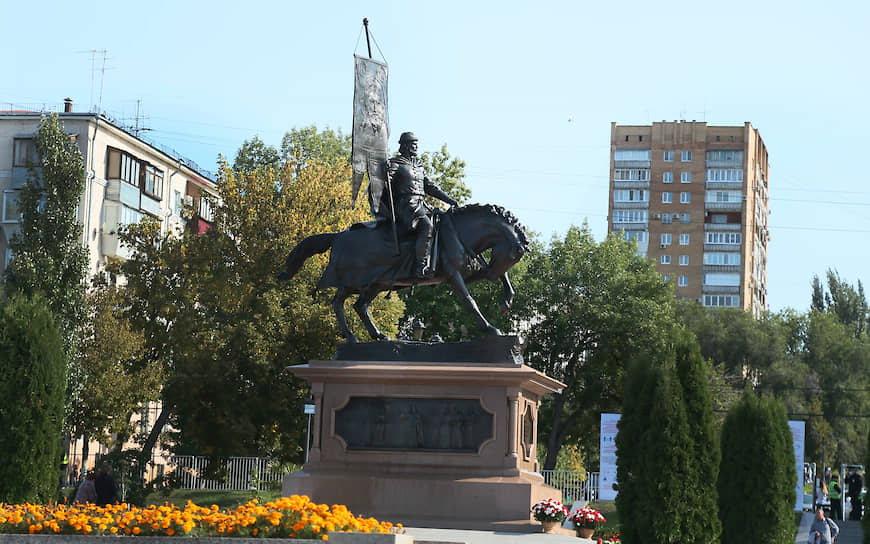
586,308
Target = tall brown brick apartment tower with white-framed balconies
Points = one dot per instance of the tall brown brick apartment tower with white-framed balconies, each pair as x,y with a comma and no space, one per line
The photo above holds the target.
695,198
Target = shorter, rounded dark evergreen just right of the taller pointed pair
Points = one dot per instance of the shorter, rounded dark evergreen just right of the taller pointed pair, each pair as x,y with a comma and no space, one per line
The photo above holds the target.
757,473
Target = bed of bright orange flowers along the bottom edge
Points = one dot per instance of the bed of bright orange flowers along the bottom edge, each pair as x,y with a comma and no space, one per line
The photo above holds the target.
288,517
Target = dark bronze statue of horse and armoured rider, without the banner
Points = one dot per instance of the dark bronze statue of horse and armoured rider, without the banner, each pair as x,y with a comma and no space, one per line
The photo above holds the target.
409,243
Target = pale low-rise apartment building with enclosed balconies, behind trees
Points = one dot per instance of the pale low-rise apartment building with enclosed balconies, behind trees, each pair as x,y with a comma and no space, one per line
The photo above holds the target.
126,178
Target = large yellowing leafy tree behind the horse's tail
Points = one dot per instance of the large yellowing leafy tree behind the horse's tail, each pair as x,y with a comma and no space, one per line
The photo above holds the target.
223,327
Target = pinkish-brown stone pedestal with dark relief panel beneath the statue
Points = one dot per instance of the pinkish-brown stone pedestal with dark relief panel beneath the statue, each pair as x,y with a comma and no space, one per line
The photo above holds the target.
423,443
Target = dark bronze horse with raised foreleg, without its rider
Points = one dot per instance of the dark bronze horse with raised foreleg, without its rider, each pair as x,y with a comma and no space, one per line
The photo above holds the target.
364,261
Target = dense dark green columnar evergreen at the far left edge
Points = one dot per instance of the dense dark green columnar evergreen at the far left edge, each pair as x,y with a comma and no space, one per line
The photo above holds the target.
32,387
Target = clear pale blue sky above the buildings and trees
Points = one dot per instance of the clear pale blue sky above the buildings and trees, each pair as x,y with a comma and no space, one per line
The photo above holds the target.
497,82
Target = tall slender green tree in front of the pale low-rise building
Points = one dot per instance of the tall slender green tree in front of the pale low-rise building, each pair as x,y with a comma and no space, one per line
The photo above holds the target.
48,257
